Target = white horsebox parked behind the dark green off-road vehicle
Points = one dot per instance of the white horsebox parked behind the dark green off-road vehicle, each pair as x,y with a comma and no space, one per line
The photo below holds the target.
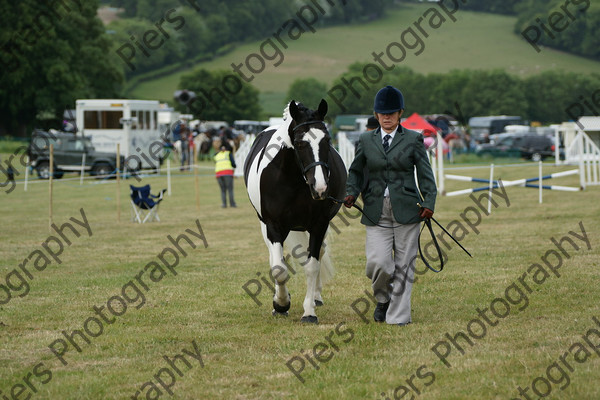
131,123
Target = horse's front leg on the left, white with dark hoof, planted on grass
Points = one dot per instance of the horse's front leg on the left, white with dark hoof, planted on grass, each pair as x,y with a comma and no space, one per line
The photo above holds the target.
279,271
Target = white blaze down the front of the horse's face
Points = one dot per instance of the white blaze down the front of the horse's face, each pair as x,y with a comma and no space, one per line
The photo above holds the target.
317,177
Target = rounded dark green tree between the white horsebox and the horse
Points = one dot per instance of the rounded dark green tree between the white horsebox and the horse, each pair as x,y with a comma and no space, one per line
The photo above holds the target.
221,96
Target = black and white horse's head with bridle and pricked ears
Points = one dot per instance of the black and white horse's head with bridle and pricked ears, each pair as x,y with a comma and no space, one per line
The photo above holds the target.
311,142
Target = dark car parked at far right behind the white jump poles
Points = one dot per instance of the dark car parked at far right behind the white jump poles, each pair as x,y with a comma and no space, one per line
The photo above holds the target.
531,147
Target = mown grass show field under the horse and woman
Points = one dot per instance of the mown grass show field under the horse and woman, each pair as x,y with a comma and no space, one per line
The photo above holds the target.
244,349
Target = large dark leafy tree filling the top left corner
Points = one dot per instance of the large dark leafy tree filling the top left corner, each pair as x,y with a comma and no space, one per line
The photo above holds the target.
52,54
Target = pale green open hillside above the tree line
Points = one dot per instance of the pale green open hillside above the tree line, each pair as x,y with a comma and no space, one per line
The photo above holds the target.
474,41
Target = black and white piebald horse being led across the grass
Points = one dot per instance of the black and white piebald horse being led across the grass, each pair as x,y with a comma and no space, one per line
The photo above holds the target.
291,174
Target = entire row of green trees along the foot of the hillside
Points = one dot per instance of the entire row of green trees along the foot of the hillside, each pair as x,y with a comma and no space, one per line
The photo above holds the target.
545,97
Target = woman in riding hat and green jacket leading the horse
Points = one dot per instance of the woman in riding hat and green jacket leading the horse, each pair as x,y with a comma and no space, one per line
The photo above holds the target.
389,156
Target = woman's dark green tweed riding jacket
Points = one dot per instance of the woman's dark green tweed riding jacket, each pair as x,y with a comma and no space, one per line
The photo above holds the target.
394,169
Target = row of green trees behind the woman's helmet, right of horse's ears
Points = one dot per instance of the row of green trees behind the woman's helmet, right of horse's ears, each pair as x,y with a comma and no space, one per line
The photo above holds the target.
464,93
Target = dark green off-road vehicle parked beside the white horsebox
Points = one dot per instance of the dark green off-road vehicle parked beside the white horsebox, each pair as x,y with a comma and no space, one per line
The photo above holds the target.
68,152
